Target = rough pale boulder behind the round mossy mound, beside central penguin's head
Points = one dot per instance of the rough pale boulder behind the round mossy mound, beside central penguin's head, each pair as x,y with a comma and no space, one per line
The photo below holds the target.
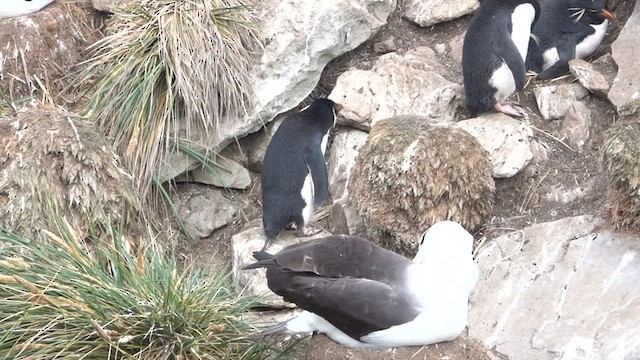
397,84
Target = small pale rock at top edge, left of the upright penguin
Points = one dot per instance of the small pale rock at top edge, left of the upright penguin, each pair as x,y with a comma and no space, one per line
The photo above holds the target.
430,12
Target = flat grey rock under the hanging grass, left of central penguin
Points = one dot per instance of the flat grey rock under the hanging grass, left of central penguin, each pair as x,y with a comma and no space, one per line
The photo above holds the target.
228,174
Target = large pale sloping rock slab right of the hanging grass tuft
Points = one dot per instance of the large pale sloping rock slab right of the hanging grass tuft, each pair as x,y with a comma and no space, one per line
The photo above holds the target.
301,38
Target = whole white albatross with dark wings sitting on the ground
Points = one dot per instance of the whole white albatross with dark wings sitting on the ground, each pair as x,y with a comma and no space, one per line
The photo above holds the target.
362,295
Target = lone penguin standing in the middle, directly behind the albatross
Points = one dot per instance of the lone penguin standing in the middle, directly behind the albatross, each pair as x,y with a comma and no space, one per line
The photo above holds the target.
294,173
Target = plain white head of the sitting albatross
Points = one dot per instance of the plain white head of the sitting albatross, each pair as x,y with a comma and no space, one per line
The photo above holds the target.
445,241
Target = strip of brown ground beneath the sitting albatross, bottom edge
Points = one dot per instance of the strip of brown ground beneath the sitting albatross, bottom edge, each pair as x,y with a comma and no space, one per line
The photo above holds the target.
463,348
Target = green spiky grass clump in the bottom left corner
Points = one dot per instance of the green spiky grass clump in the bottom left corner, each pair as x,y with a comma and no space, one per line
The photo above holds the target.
57,302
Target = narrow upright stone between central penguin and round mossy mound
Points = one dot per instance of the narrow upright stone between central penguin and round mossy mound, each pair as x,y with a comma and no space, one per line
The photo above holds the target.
342,155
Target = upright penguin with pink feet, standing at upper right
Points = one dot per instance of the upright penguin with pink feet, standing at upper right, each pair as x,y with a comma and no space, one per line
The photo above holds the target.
493,54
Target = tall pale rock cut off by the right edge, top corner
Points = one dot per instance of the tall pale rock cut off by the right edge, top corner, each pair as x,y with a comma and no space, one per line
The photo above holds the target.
625,91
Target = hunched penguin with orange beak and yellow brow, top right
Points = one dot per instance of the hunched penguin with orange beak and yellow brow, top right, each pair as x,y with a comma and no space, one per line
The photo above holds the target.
567,29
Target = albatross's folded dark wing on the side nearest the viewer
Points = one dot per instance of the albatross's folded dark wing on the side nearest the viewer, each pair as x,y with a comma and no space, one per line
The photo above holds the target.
355,306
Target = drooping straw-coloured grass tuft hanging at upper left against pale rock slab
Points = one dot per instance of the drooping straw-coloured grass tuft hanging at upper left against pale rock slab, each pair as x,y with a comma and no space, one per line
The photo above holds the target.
170,69
